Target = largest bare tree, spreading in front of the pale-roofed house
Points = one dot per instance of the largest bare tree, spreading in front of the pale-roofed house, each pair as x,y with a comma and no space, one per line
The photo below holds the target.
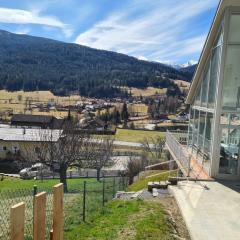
59,149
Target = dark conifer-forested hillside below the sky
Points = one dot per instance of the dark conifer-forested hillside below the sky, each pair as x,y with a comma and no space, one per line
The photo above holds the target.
33,63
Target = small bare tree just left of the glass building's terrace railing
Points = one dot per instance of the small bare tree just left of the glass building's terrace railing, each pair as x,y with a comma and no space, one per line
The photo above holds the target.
153,147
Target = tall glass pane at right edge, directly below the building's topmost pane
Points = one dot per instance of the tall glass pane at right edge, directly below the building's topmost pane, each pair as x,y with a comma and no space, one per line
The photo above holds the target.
231,83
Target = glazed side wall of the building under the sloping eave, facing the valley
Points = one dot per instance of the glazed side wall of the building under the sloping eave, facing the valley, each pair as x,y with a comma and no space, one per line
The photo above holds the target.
202,111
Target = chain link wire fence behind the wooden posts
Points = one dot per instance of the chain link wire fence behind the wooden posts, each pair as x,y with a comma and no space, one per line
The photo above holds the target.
82,199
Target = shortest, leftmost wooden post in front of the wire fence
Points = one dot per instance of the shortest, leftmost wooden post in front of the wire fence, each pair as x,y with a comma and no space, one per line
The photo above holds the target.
17,219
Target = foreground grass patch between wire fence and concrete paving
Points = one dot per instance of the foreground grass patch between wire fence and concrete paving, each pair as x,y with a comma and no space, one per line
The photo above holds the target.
128,220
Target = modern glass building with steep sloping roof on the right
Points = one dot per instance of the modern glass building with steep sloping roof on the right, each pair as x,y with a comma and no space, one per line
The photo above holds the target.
214,98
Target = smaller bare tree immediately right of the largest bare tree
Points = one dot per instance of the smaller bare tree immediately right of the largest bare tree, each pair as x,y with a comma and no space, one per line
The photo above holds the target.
99,154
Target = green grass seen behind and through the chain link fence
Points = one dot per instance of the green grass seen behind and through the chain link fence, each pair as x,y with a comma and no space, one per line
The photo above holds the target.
13,191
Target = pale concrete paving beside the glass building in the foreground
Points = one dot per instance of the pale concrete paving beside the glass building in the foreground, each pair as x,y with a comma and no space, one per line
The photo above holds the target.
210,214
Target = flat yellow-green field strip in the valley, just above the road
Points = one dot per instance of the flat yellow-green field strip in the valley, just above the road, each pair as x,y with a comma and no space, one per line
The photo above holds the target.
129,135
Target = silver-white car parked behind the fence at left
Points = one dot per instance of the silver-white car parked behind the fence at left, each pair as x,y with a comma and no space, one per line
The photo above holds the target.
35,170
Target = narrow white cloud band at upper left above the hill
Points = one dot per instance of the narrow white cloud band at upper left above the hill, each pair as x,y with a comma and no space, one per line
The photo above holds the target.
19,16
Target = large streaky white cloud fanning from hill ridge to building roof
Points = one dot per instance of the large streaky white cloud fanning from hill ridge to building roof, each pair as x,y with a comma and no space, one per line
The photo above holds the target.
160,30
